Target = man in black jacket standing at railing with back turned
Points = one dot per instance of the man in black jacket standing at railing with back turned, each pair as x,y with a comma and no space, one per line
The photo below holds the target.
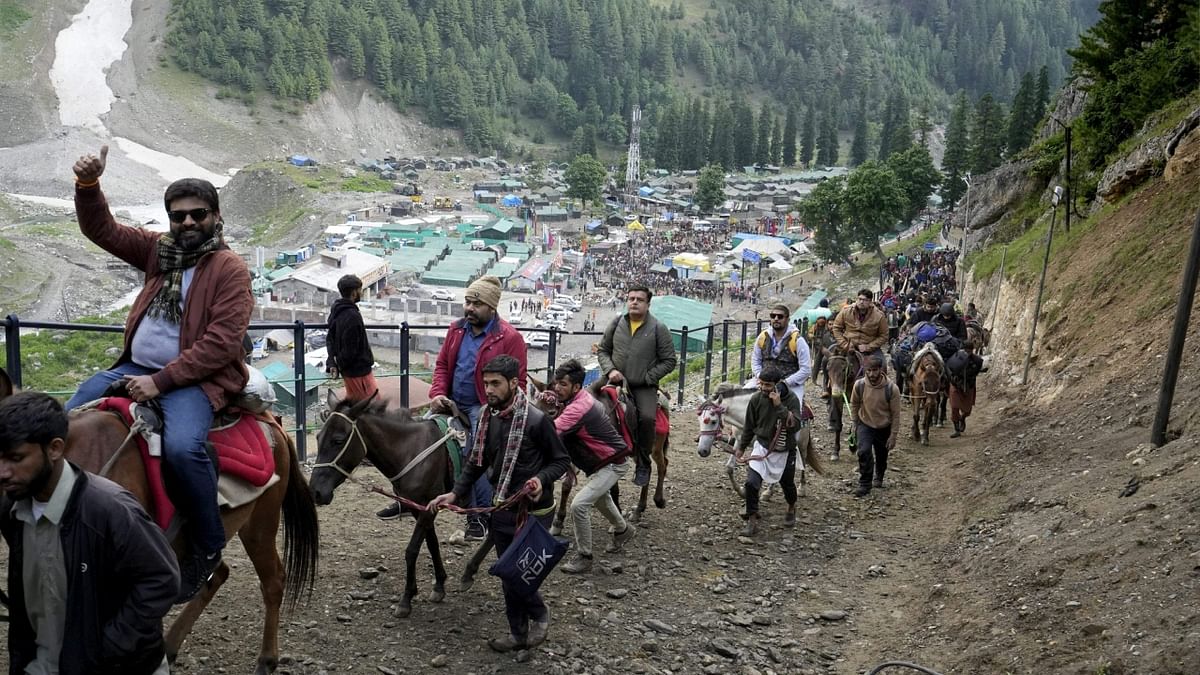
350,354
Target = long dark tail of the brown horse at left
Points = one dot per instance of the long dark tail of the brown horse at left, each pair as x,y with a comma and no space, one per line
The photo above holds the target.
302,531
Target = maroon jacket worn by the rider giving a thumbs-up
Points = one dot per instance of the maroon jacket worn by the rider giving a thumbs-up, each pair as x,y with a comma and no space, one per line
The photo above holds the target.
217,312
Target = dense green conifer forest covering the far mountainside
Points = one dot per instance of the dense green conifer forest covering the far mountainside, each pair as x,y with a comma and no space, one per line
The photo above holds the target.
574,69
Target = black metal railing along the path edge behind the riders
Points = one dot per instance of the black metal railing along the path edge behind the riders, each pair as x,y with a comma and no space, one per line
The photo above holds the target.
689,361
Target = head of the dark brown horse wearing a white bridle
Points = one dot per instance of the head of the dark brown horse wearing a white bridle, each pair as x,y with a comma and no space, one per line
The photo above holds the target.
340,447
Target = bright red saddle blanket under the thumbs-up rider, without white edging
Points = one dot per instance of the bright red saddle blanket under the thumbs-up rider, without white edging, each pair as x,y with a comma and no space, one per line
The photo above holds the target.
243,452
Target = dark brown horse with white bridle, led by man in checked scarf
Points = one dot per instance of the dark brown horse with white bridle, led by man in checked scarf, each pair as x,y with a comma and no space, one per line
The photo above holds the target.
410,452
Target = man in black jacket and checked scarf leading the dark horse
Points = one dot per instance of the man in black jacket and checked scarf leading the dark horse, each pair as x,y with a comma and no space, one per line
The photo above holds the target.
515,446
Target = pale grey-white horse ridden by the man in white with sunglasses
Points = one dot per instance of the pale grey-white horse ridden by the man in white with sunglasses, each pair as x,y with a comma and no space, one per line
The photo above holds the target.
729,409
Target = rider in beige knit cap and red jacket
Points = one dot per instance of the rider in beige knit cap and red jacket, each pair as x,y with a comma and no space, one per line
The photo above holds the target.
472,342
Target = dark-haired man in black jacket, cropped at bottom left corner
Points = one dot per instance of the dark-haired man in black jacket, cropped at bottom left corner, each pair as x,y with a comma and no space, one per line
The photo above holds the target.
91,577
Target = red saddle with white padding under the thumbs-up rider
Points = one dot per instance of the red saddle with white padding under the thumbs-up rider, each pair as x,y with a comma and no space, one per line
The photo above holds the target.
238,446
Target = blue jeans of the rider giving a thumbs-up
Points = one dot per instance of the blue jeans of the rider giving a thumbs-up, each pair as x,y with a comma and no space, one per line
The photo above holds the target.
188,416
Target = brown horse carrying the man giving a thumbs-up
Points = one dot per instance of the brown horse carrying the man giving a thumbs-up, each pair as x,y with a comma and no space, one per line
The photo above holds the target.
98,444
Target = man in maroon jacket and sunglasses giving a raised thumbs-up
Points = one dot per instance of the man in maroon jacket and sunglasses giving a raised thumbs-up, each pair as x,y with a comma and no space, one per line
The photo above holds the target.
183,341
